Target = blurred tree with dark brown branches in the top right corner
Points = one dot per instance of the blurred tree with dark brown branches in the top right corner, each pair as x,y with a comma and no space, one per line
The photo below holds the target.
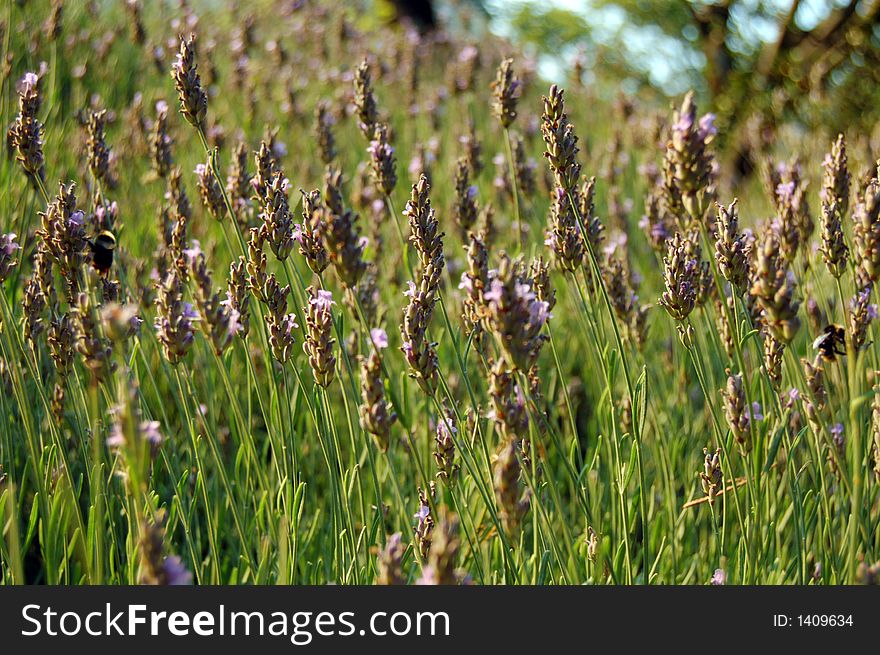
772,60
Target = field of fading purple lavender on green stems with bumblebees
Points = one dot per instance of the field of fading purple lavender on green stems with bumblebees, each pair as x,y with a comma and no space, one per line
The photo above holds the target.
293,298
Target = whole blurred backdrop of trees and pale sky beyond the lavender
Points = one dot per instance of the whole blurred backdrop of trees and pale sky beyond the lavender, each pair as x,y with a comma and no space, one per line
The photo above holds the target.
758,62
